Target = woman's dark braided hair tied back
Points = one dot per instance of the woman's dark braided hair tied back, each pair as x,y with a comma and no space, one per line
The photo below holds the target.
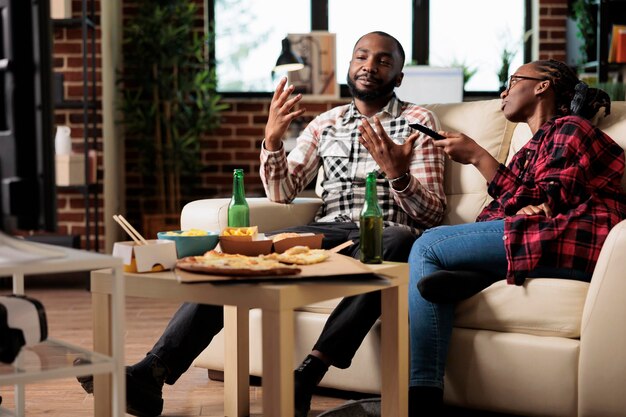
573,97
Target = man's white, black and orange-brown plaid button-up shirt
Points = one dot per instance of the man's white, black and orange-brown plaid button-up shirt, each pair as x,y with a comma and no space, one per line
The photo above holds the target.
331,140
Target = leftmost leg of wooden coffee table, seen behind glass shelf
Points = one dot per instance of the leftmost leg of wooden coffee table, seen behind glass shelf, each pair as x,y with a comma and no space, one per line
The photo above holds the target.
101,306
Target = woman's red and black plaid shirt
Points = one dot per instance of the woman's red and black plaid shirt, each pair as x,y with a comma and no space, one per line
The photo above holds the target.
576,169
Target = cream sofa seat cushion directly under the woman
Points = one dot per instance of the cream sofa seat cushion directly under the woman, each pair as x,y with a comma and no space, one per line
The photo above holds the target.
542,307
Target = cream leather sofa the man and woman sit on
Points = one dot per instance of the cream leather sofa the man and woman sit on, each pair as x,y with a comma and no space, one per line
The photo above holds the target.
552,347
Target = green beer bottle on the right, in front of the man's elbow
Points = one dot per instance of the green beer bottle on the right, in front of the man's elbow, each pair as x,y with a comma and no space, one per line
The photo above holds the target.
371,224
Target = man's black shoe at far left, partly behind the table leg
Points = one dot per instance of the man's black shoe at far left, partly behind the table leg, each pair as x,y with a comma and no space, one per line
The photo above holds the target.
144,394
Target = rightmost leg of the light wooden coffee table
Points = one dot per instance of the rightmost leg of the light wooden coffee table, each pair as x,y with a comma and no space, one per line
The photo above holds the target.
395,352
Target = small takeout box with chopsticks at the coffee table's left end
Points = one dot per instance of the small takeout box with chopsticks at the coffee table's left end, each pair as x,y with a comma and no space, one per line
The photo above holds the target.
157,255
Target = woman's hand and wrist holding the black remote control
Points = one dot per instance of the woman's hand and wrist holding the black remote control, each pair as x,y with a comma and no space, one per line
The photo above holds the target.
463,149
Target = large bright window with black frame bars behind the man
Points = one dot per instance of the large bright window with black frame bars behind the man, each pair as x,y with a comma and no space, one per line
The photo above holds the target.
248,35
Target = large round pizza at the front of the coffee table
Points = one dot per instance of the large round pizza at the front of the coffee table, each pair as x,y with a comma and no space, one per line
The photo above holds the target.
217,263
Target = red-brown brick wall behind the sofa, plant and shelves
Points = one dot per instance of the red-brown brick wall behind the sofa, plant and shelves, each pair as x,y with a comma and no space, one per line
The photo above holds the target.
234,145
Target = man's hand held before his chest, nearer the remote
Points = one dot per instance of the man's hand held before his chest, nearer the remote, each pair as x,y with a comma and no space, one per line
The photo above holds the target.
392,158
